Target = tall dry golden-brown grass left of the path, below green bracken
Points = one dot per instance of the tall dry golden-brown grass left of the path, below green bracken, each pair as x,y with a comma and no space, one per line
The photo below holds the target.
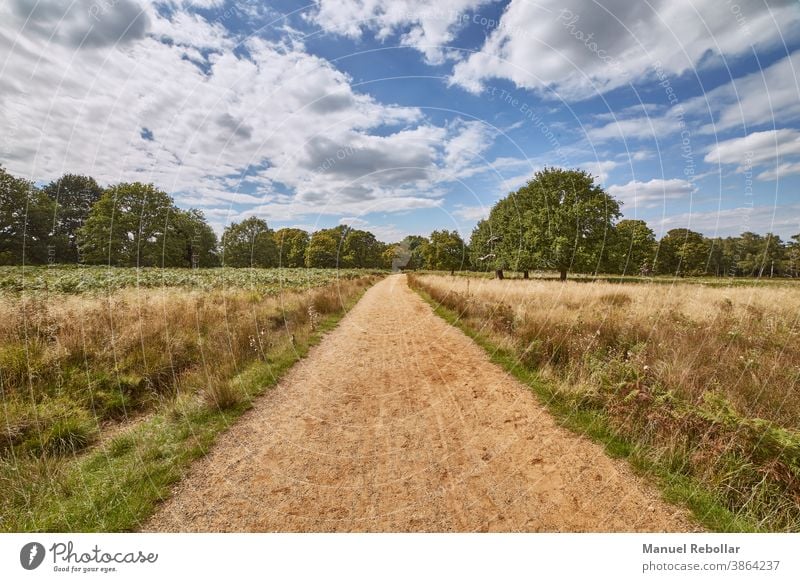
71,365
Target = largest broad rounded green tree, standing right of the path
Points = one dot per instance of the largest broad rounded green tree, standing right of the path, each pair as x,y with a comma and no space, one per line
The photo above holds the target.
564,222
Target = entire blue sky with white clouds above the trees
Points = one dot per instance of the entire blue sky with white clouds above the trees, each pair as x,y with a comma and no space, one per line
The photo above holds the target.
406,116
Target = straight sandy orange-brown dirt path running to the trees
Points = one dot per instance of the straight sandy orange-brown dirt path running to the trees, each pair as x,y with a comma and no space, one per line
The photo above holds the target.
398,422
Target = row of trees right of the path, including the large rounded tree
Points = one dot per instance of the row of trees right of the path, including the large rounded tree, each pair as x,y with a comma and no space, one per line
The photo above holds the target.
562,220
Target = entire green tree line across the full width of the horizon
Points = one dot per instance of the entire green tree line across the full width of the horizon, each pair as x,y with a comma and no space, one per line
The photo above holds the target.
561,220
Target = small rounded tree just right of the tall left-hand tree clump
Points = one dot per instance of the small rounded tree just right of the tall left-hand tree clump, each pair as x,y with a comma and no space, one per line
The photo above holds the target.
249,243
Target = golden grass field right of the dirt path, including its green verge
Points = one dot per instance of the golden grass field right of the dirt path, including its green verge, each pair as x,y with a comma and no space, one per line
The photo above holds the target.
698,384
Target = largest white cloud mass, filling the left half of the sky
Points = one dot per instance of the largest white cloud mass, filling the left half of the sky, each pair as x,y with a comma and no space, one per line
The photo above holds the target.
278,131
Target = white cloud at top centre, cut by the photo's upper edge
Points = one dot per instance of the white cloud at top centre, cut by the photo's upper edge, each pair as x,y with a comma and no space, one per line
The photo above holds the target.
426,26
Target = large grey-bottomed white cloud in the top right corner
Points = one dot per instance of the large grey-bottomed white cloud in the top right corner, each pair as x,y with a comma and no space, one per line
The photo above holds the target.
580,49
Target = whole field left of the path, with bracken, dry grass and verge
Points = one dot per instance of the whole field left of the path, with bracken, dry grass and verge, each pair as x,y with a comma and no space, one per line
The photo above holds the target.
112,380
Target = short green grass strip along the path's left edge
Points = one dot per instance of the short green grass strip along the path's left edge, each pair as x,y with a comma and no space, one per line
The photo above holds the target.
118,485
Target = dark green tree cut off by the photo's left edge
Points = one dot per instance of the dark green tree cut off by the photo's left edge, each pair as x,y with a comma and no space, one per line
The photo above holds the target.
25,214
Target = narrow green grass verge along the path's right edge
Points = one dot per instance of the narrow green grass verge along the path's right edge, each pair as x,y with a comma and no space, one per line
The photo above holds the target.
706,506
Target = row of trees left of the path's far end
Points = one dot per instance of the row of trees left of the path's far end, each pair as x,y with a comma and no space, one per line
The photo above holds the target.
74,220
